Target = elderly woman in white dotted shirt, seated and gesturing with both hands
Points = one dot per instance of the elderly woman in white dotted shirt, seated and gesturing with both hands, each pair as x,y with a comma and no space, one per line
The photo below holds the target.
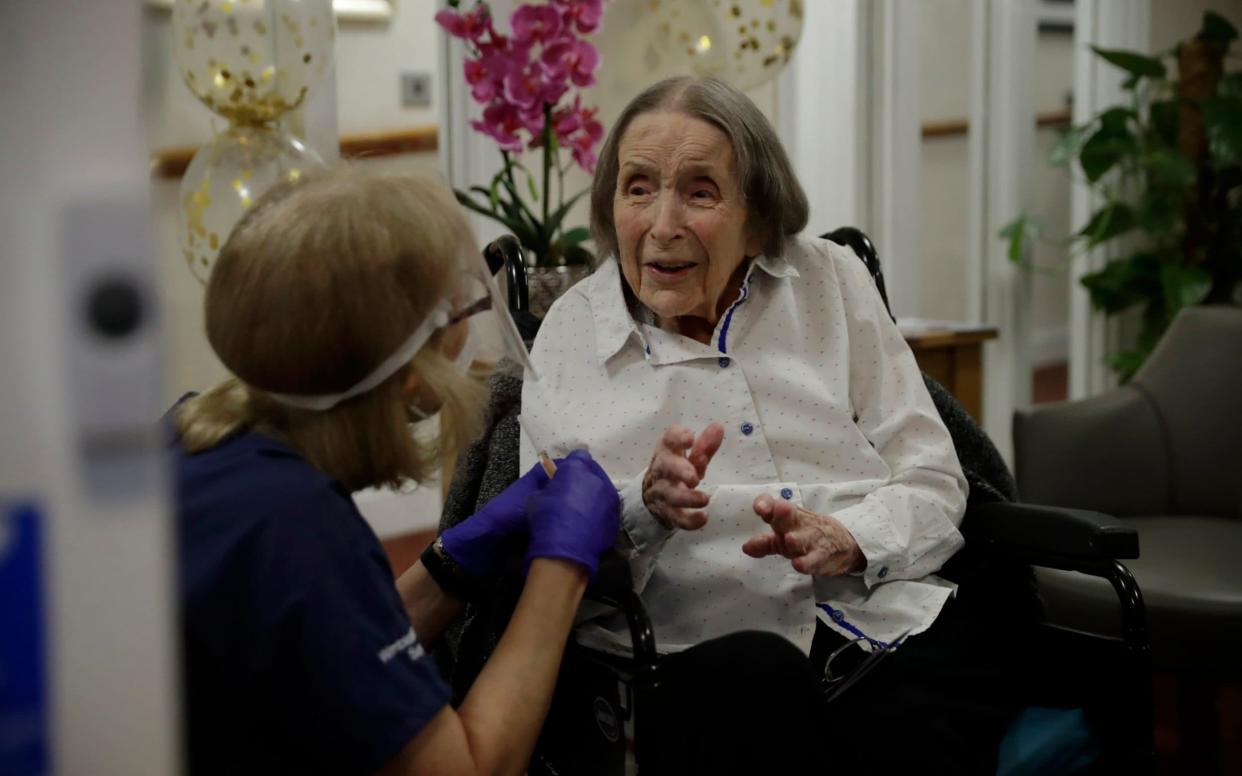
782,465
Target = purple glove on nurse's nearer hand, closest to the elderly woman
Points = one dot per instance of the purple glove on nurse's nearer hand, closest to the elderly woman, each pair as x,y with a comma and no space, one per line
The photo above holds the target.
577,516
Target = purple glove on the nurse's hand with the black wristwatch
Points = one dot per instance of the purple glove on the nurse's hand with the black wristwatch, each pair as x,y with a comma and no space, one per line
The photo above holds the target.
478,542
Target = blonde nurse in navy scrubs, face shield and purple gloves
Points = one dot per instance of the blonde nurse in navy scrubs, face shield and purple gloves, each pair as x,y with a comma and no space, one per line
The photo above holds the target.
346,307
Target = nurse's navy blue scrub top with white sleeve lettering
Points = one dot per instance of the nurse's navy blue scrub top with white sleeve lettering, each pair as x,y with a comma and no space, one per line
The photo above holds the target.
299,656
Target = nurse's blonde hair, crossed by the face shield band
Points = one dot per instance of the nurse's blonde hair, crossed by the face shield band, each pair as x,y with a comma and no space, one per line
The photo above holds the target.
316,286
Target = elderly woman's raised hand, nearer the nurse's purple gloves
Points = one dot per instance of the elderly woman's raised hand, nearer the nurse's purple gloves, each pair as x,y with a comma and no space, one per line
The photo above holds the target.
678,467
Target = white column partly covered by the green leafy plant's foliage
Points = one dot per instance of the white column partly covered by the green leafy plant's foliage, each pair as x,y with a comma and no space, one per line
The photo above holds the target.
1110,24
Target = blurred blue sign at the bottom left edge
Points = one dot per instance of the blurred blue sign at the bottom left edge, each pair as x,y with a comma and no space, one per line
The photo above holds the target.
24,718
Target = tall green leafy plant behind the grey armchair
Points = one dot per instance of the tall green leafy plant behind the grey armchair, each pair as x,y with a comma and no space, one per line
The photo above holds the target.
1168,168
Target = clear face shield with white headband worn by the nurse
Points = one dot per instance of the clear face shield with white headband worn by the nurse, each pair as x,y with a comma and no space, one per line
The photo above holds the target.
480,337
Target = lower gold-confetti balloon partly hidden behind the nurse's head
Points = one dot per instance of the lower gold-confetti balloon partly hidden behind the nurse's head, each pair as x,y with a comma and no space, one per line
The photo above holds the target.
224,181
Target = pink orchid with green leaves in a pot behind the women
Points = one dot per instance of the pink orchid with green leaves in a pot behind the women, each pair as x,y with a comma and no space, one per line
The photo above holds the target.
528,83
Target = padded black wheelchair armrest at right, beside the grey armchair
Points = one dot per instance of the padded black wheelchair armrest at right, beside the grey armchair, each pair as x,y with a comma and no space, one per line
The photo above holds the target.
1054,537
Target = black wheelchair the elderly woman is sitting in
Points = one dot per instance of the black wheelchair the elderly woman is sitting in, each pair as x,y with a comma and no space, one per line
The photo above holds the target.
1091,708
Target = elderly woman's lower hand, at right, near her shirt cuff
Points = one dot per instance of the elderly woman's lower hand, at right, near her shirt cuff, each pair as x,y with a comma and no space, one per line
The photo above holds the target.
818,544
